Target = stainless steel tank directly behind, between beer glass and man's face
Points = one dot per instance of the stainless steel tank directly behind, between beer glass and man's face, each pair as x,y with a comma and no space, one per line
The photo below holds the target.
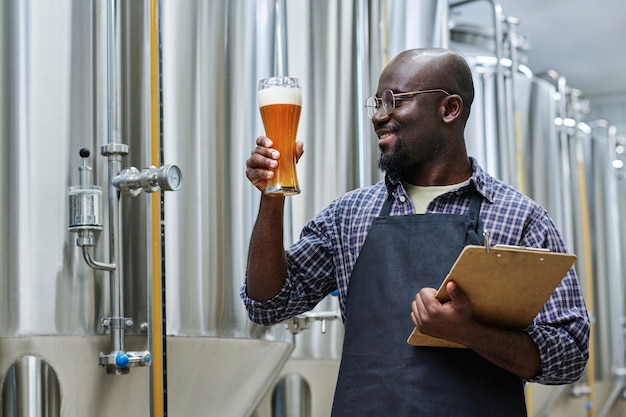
339,70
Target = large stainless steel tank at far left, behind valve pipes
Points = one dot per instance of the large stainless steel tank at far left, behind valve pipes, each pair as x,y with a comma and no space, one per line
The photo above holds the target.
55,84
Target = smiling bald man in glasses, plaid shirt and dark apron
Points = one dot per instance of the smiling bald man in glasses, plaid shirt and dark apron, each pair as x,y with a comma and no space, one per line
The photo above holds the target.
386,261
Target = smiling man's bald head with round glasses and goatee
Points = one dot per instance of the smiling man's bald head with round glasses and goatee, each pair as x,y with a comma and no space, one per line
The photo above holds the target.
420,125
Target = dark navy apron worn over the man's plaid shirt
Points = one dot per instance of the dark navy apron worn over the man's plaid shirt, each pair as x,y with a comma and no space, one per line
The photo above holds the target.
380,373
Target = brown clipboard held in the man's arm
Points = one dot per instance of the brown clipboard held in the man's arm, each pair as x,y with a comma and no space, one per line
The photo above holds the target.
506,285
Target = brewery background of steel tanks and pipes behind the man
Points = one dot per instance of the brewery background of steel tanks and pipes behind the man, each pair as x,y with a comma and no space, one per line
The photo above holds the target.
125,126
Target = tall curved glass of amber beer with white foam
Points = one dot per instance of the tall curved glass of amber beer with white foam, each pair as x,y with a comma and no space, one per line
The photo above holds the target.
280,103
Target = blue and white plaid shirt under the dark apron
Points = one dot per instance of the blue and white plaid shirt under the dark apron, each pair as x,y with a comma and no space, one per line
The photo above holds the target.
321,261
